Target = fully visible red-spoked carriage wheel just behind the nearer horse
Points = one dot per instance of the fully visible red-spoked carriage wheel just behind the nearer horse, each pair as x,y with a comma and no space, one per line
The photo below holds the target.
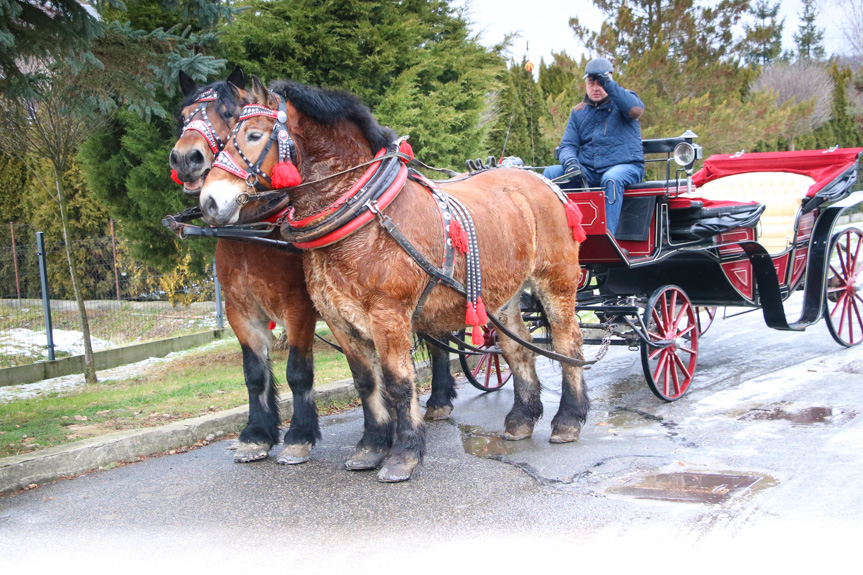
671,321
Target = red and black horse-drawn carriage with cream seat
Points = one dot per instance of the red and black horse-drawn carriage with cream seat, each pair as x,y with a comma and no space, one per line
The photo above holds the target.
747,230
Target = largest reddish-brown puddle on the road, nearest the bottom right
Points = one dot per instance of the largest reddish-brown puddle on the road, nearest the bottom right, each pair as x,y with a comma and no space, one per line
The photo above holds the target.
712,488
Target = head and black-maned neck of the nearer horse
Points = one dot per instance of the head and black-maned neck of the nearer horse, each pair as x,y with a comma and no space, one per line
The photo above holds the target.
316,132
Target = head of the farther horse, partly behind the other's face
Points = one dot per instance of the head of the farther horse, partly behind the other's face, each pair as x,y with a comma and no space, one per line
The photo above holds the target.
206,119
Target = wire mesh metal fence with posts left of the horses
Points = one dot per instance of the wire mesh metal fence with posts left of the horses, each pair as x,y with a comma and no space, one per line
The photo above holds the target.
127,302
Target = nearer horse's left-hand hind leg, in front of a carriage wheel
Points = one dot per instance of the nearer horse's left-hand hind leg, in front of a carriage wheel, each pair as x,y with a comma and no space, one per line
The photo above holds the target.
527,407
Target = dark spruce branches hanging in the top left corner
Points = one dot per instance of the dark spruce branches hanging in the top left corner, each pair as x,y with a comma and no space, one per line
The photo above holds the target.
117,62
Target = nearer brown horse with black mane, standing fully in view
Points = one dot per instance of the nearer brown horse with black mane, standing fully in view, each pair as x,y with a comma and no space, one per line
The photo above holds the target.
367,286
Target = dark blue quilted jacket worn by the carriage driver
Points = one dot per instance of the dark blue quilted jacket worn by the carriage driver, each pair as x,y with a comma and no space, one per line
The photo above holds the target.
604,134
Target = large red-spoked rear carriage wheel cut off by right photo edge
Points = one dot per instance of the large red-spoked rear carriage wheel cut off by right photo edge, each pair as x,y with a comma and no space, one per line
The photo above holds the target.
844,304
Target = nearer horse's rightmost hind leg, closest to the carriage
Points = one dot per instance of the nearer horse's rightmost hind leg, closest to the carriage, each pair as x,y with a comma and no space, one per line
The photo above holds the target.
559,306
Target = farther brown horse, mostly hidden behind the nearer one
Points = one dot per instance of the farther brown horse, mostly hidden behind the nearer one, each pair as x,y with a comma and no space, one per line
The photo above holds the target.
262,284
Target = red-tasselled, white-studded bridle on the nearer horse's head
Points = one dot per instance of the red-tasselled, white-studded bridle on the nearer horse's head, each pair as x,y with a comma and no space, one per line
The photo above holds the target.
253,175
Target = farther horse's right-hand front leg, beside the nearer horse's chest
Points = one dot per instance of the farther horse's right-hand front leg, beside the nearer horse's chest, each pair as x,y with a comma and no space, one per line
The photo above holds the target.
304,430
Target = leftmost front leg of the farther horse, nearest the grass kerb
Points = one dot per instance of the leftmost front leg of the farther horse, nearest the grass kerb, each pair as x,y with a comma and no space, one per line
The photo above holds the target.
262,430
